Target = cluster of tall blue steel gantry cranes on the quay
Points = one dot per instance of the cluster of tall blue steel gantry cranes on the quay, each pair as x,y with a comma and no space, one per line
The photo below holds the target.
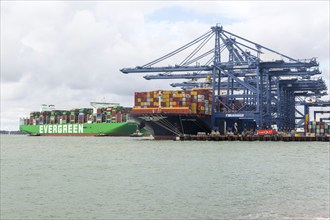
269,84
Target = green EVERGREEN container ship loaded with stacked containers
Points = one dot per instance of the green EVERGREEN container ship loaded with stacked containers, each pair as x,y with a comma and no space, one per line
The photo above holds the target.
104,119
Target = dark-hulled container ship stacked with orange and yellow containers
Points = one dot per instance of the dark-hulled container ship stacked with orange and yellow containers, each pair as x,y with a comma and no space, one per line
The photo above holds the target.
172,113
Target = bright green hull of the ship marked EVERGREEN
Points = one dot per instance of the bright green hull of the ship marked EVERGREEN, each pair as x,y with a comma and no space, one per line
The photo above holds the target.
95,129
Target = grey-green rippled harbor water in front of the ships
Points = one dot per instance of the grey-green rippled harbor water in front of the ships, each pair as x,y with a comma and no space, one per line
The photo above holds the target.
132,178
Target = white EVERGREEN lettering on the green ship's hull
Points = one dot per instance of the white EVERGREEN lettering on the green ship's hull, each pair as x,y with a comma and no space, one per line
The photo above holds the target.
62,129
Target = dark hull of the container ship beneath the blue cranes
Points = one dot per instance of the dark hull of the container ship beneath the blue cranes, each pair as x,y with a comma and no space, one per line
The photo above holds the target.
169,126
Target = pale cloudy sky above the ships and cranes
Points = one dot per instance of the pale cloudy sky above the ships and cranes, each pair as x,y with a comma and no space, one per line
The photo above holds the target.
69,53
